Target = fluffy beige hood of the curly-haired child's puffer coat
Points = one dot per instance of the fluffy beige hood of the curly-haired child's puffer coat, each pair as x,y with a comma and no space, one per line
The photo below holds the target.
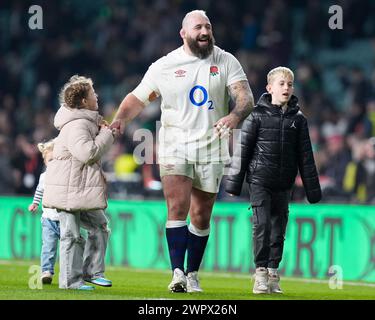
65,115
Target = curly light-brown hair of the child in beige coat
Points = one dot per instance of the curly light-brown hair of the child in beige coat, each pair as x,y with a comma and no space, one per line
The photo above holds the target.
76,89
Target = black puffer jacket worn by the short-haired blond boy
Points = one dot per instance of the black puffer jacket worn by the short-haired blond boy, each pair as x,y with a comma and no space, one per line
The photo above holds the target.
273,147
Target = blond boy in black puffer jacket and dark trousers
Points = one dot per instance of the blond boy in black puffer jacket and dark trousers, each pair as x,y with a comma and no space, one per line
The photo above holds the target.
274,145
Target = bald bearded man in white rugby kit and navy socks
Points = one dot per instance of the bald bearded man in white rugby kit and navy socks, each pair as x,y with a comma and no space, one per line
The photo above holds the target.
195,82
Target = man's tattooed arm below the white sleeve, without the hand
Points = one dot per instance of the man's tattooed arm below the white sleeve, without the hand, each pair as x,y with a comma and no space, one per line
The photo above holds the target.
242,96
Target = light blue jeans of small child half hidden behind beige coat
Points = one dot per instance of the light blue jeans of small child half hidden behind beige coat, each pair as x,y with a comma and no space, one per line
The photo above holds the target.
50,238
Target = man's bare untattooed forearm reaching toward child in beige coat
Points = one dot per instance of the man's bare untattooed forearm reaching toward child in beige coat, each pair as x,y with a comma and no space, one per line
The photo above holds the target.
129,108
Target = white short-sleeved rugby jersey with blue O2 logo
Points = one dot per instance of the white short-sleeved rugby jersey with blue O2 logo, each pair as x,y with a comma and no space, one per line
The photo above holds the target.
194,96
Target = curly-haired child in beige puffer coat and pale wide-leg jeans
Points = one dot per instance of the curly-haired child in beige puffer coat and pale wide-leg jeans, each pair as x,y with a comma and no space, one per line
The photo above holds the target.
75,185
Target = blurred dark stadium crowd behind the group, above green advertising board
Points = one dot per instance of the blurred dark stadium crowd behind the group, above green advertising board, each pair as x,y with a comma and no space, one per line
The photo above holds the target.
114,42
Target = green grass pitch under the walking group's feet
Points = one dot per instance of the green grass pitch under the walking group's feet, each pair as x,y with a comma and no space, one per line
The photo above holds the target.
131,284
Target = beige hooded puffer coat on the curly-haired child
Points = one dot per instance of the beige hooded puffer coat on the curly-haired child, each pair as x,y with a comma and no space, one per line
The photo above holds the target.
74,179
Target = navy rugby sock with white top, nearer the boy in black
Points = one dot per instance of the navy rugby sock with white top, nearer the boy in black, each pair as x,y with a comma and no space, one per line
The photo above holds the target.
197,241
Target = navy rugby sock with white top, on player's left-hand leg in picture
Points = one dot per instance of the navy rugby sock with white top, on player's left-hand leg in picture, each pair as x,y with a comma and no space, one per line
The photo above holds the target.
177,237
